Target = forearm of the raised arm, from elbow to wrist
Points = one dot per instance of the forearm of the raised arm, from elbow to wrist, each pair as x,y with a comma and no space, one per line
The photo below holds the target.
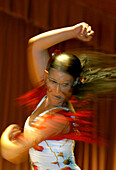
50,38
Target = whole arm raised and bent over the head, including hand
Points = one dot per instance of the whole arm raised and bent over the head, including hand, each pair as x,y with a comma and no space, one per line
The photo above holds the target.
37,51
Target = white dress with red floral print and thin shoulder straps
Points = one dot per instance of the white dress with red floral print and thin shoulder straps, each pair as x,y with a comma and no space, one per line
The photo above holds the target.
57,154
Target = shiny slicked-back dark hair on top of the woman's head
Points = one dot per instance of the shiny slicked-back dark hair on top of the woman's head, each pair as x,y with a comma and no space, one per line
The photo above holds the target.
68,63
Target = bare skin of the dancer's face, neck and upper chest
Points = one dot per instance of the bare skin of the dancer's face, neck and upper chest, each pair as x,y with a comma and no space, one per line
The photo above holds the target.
56,96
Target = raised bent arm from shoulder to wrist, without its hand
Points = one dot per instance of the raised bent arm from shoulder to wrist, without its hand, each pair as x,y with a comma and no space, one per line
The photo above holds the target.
37,51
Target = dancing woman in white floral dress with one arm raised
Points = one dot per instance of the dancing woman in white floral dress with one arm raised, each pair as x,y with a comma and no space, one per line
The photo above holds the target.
49,121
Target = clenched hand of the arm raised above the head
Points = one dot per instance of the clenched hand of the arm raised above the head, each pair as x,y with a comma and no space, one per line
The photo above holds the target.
83,31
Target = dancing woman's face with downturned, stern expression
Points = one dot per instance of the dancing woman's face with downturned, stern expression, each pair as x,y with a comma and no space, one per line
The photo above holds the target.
59,86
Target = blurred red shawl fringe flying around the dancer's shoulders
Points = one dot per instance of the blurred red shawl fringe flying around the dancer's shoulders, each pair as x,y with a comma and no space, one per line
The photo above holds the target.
82,126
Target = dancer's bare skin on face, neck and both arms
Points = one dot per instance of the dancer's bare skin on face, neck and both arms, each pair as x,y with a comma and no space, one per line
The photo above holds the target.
14,150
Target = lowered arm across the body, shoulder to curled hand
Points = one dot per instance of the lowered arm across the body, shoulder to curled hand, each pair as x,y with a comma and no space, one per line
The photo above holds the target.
16,150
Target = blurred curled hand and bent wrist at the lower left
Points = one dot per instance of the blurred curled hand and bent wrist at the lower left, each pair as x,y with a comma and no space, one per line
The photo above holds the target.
12,147
